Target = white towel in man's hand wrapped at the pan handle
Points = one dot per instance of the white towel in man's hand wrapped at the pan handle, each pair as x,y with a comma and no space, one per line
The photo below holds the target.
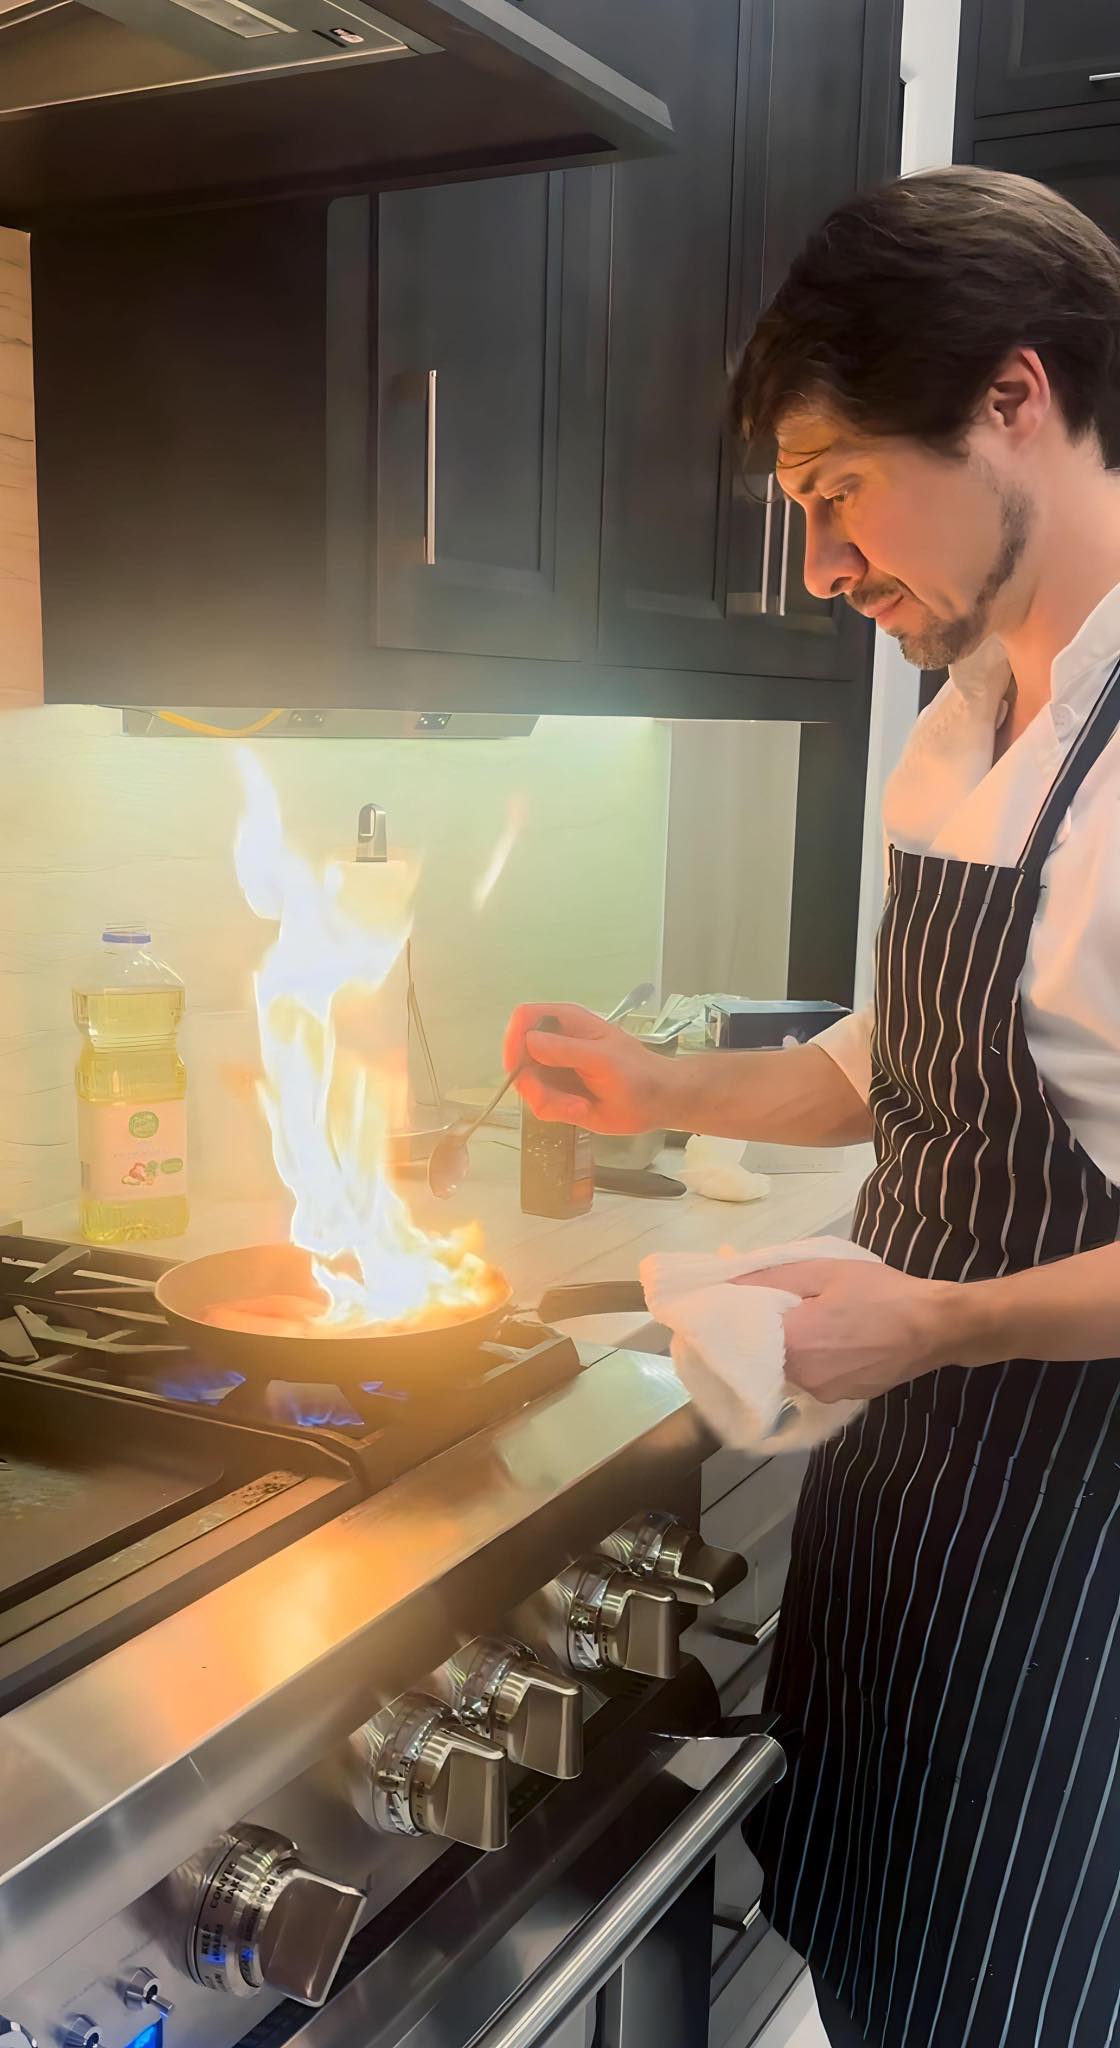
730,1342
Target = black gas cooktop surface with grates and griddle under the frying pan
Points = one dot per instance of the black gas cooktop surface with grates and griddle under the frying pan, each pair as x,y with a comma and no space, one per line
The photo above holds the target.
97,1543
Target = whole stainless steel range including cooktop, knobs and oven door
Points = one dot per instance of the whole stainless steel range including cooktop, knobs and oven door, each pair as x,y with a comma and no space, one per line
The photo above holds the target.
343,1721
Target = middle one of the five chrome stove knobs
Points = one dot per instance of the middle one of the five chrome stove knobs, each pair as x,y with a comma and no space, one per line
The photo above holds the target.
517,1703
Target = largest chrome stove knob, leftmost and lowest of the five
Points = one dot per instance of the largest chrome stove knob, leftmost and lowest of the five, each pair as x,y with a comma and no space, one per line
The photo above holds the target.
267,1920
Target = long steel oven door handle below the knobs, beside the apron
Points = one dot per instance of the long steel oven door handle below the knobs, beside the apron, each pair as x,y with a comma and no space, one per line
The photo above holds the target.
607,1936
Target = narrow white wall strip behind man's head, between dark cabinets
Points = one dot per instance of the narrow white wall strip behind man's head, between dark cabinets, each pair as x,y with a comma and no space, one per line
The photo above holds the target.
931,52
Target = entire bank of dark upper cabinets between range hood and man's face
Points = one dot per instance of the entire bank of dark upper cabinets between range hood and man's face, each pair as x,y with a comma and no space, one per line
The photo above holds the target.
464,447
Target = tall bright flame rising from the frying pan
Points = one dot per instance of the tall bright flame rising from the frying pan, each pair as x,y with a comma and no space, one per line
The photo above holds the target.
329,1109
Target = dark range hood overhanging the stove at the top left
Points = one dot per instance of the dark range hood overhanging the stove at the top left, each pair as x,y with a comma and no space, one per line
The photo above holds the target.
114,105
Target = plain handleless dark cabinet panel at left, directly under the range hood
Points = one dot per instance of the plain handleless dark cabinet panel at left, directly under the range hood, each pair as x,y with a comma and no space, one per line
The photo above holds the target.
181,419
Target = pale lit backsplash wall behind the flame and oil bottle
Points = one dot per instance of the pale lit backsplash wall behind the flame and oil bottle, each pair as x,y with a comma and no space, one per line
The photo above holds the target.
99,828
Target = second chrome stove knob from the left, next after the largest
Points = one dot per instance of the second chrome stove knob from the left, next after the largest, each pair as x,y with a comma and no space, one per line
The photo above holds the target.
429,1777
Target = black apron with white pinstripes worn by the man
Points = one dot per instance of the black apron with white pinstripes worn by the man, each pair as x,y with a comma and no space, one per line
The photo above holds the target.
947,1846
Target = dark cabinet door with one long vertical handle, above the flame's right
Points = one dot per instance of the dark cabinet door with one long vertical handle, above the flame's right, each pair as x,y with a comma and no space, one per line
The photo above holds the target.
490,370
